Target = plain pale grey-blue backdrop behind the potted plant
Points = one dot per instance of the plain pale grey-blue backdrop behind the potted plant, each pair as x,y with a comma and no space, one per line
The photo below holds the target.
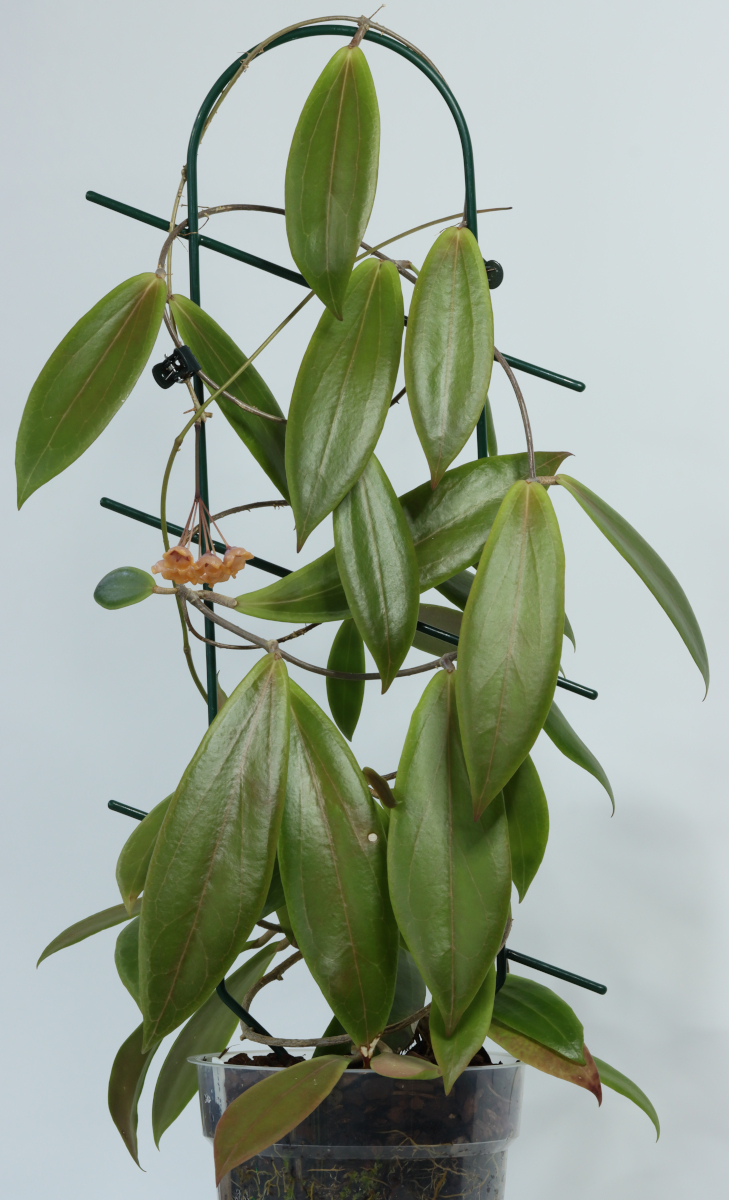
605,128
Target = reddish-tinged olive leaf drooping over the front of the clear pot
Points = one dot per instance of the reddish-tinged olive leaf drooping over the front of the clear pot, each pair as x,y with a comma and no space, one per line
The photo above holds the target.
269,1111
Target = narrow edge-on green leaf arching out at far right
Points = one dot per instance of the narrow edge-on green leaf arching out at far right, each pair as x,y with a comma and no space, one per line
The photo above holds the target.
648,566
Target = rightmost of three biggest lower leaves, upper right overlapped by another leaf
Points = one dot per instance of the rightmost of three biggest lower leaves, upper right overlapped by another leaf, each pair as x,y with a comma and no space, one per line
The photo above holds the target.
450,879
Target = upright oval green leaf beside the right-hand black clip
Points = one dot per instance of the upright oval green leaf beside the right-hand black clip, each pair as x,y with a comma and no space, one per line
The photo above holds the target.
449,347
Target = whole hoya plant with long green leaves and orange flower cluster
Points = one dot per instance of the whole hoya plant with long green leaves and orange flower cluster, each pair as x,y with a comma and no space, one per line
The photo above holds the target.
393,887
